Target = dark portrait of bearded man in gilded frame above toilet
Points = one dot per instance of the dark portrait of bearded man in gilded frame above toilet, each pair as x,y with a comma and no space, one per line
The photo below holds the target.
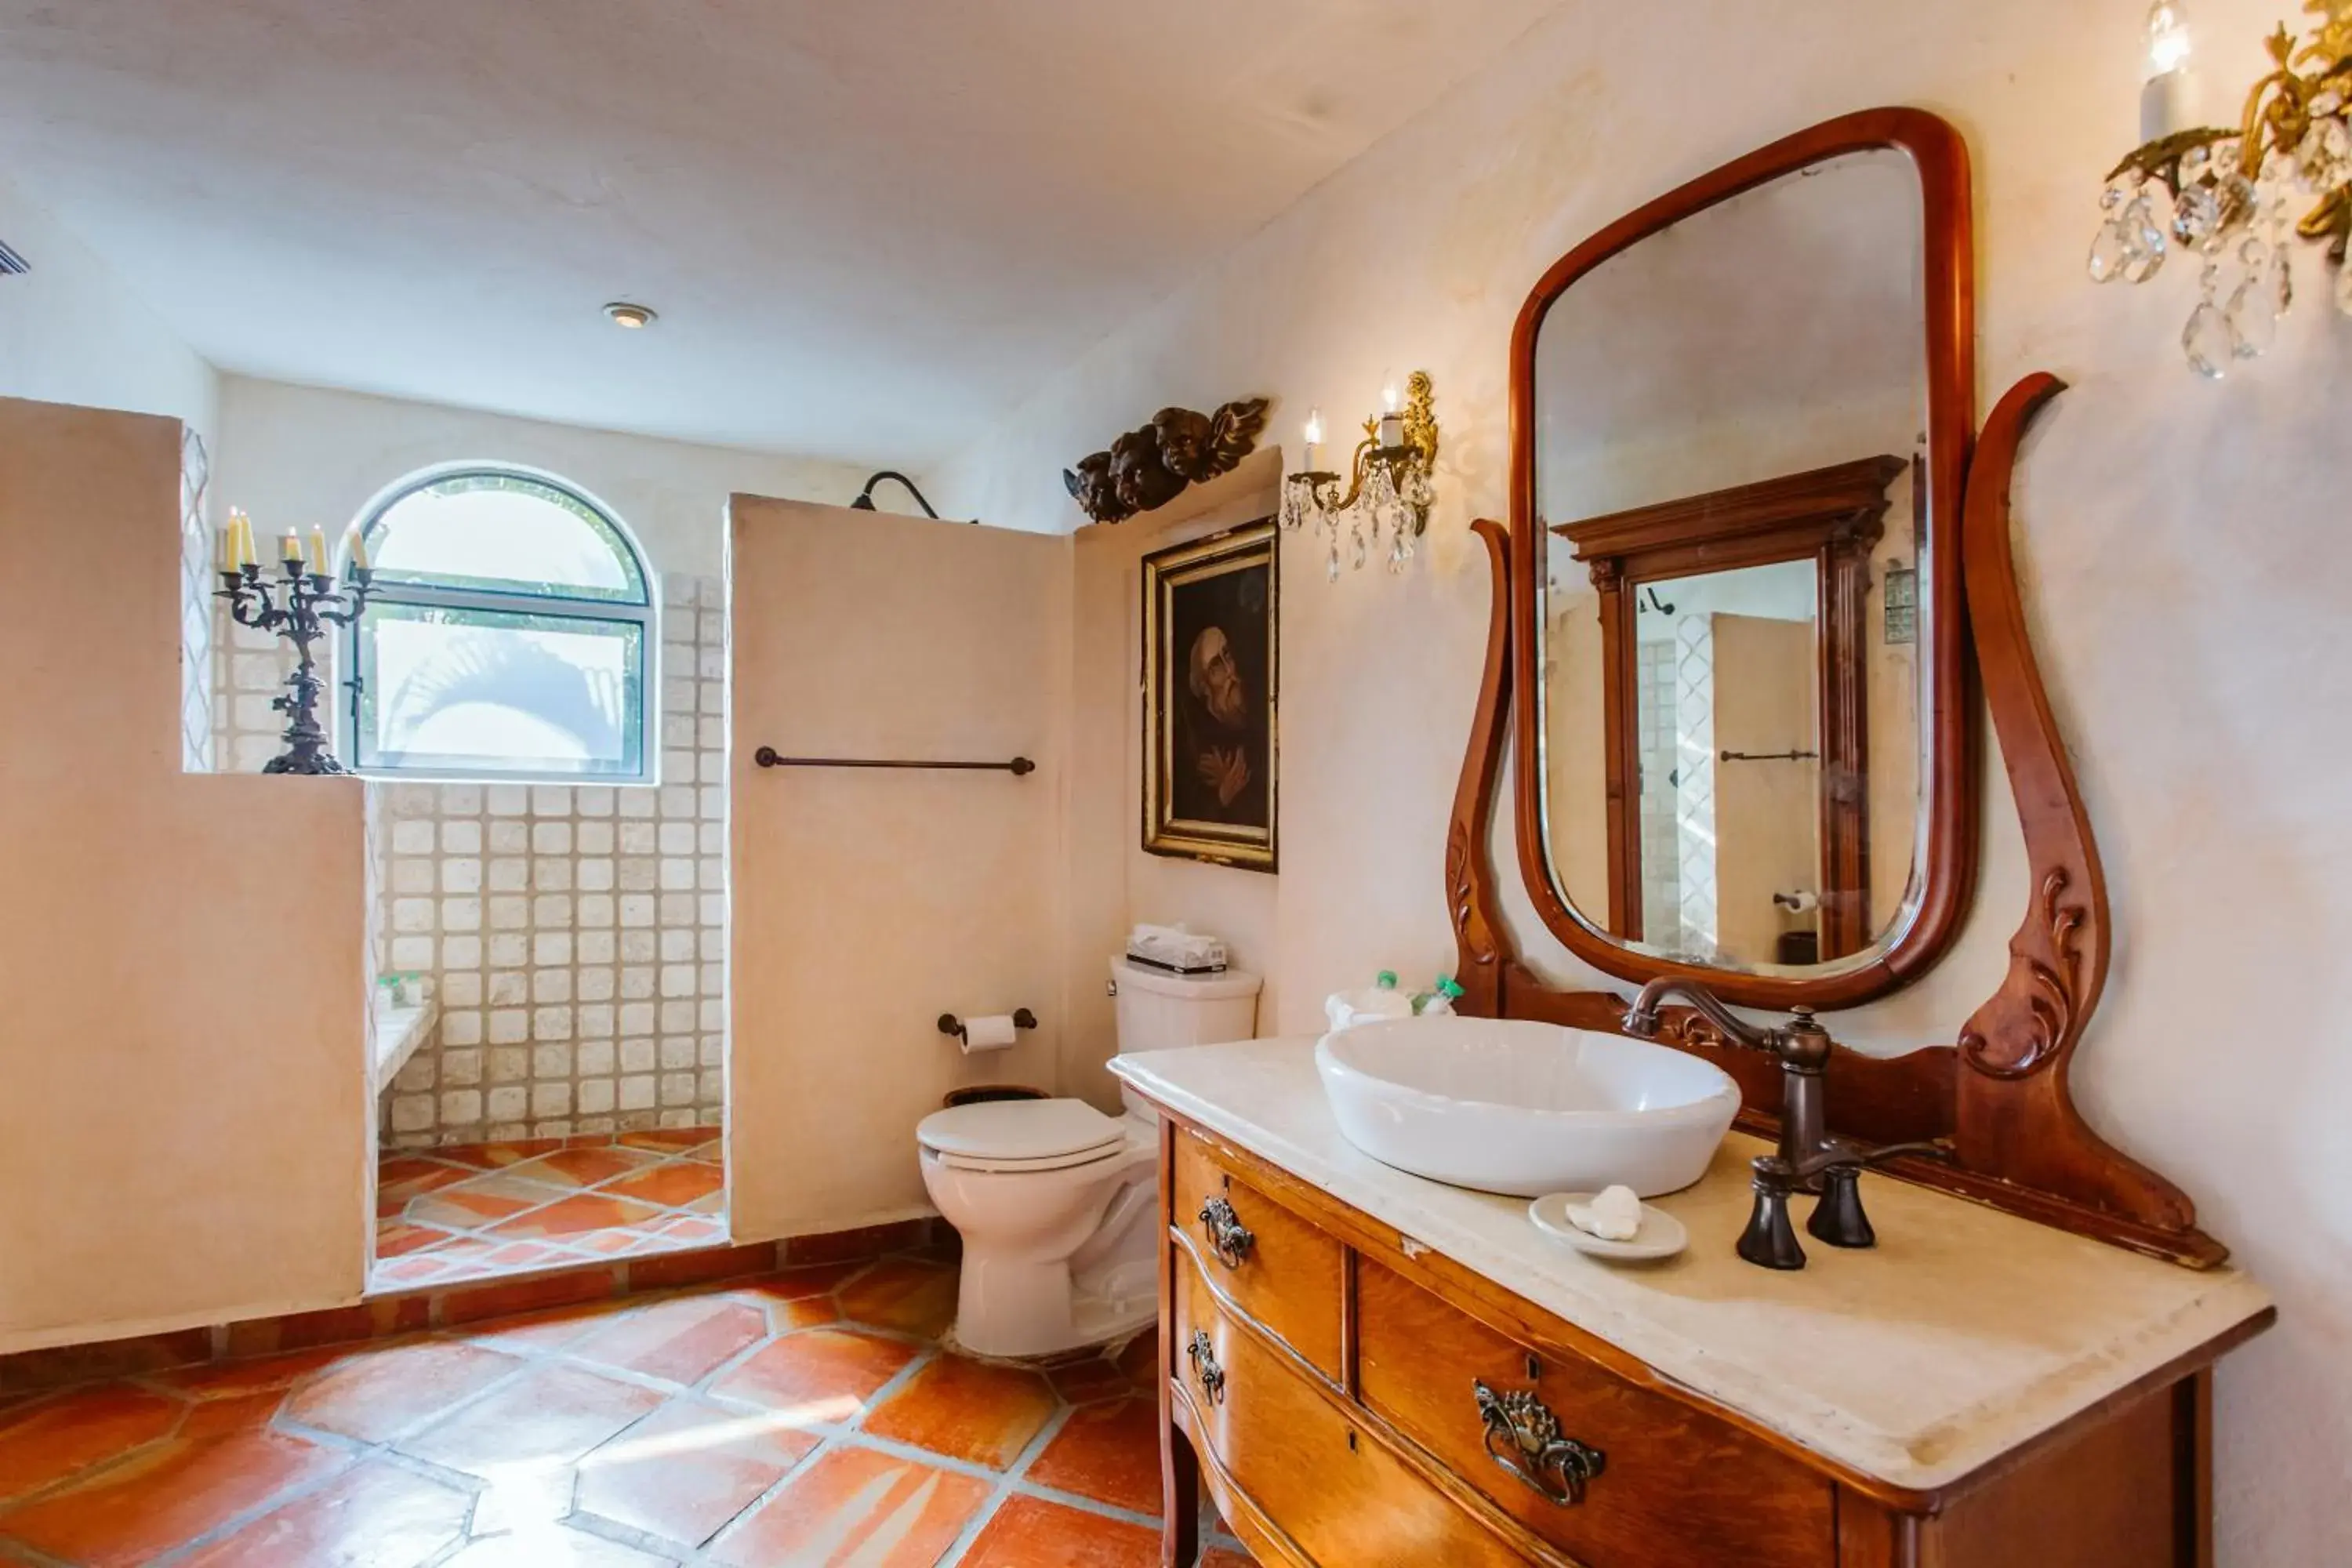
1210,664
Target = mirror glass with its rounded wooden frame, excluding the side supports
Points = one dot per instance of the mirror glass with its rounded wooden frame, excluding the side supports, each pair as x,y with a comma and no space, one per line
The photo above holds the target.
1739,434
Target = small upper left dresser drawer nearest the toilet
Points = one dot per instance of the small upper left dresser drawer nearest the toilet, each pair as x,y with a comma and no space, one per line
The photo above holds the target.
1274,1266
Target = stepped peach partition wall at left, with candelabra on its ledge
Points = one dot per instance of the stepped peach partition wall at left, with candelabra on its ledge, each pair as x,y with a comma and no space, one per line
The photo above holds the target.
185,1115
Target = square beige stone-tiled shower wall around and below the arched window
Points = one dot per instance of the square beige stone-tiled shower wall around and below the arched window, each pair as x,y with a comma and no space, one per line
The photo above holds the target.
575,937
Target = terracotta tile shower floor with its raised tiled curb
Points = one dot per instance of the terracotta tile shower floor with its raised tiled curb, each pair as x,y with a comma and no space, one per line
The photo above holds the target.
469,1212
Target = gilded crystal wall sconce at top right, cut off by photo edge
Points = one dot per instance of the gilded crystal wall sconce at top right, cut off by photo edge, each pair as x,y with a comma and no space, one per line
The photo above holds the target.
2226,194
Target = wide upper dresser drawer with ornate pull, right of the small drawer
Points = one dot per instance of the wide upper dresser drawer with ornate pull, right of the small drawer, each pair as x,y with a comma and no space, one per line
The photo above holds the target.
1676,1487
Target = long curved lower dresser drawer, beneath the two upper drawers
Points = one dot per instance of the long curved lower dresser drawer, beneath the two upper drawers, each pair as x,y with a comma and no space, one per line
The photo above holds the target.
1297,1456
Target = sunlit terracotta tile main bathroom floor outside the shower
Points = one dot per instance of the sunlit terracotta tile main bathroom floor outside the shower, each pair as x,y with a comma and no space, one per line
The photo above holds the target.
796,1419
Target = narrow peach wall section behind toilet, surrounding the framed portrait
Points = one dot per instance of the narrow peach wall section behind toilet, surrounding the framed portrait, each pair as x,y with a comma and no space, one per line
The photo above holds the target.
1114,883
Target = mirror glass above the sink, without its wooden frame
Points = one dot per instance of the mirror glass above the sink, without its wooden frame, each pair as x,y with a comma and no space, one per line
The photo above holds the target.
1728,422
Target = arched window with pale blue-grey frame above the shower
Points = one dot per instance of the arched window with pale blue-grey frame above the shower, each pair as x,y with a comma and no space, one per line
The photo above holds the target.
509,634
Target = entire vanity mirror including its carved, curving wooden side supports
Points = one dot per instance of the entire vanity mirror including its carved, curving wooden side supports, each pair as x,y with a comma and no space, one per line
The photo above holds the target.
1732,455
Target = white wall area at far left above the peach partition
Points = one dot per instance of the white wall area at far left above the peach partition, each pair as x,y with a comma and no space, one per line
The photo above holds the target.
74,333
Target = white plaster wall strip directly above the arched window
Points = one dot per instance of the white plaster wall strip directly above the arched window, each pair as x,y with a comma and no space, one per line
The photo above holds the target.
307,457
